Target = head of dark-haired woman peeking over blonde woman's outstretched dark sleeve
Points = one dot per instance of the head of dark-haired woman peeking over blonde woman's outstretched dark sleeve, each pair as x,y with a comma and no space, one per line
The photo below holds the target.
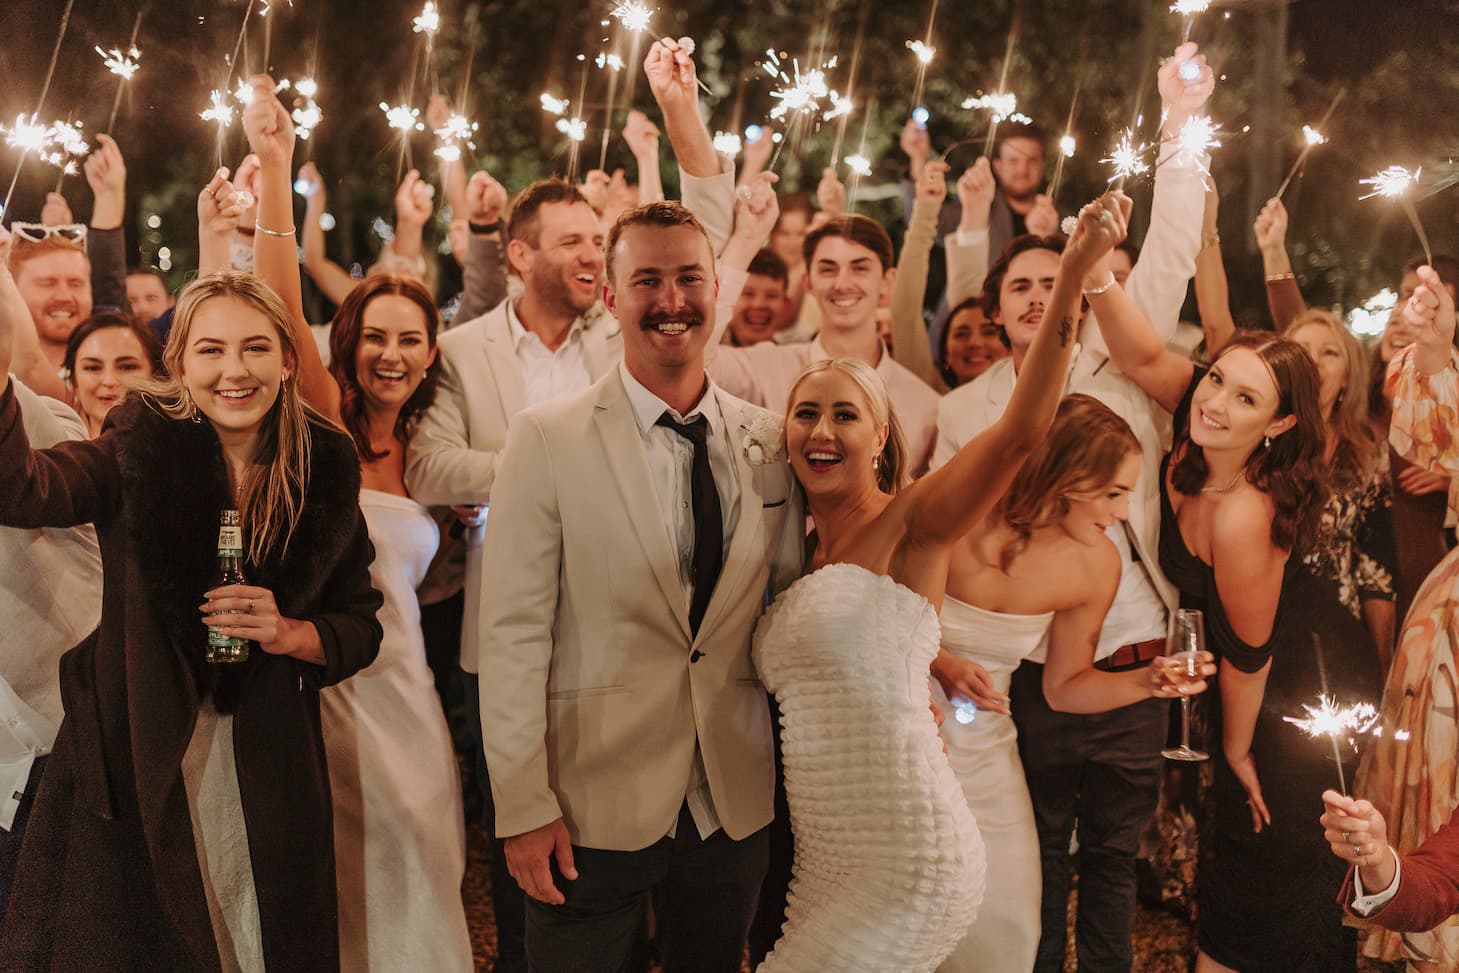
109,354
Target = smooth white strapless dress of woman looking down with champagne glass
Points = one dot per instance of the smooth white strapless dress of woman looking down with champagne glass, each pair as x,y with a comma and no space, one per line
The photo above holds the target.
984,755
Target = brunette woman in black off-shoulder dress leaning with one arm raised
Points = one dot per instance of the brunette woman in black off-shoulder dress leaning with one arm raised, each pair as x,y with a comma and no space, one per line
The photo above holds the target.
1242,495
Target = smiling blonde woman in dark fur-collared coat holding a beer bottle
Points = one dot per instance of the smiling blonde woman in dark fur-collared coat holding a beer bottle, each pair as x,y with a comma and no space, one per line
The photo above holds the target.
185,818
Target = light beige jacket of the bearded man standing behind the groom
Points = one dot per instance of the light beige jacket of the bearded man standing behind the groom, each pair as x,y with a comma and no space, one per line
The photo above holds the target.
453,456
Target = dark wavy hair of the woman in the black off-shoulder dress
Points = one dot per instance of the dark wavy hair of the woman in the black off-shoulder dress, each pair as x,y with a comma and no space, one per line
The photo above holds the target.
1290,472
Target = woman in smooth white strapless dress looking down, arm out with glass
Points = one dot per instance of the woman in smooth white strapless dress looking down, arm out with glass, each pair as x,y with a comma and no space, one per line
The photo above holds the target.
1038,571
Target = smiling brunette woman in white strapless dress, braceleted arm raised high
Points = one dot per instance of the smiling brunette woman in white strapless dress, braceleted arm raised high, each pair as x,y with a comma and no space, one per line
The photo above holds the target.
399,825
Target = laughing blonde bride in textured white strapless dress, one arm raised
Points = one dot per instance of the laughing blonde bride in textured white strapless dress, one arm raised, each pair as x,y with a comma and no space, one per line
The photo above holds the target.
889,863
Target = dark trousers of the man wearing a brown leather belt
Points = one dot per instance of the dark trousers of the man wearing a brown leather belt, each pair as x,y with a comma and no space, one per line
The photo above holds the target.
1098,775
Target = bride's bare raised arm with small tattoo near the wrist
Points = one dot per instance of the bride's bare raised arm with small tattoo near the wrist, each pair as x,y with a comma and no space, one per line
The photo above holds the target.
943,505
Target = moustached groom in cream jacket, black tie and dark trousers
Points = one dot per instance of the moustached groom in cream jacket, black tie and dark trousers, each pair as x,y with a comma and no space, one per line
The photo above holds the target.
635,532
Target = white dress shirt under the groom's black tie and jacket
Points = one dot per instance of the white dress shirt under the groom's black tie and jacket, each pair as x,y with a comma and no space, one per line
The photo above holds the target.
670,462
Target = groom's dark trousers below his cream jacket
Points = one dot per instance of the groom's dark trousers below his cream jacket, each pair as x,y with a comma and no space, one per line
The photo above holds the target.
704,893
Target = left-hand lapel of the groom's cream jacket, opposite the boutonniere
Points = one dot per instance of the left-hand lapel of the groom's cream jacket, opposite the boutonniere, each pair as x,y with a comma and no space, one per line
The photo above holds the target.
624,447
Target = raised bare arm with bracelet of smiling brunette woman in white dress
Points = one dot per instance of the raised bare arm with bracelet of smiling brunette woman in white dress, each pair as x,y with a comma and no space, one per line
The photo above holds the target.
276,259
